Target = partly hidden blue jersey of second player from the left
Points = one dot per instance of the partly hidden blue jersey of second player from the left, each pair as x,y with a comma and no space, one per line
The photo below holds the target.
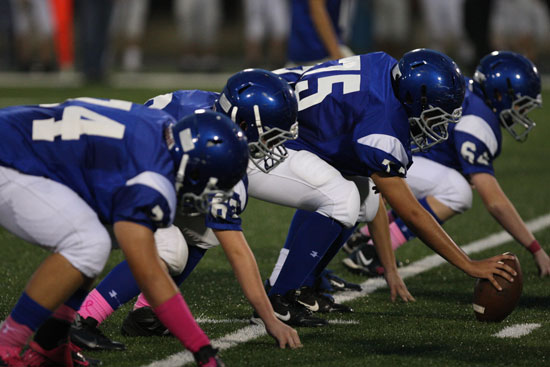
222,216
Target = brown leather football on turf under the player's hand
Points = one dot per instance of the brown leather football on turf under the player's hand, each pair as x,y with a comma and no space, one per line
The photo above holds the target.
489,304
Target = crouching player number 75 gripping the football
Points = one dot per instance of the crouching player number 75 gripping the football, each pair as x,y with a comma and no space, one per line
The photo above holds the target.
358,116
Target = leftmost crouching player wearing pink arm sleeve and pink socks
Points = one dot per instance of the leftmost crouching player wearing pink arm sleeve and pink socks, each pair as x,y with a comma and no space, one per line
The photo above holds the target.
67,169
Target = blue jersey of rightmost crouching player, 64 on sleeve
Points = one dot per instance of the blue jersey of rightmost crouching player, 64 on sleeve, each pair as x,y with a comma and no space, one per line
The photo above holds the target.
474,142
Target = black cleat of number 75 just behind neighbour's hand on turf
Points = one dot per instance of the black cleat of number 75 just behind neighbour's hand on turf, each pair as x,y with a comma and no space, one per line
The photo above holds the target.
289,311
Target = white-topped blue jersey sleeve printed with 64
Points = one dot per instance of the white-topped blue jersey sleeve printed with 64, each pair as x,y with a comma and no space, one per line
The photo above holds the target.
476,145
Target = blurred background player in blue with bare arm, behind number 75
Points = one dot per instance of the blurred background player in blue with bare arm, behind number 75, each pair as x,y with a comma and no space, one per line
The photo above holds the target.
316,31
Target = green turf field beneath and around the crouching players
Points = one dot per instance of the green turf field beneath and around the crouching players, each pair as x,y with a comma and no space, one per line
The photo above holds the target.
437,330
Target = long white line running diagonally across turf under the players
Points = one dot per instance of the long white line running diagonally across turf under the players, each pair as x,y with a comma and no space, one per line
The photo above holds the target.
254,331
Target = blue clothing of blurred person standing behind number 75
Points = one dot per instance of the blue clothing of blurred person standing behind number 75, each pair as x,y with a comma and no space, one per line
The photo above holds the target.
304,44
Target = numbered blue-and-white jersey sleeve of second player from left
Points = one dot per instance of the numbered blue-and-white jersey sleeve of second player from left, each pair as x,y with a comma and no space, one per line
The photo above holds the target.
226,215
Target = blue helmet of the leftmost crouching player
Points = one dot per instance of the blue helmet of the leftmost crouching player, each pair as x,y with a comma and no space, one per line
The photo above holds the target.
211,156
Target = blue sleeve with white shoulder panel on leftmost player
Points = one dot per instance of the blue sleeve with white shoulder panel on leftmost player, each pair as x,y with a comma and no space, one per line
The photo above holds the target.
148,199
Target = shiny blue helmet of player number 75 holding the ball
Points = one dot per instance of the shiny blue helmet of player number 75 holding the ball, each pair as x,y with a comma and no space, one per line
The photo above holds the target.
431,87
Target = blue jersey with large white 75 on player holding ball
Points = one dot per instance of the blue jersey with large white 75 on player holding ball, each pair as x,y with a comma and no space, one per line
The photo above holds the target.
349,116
